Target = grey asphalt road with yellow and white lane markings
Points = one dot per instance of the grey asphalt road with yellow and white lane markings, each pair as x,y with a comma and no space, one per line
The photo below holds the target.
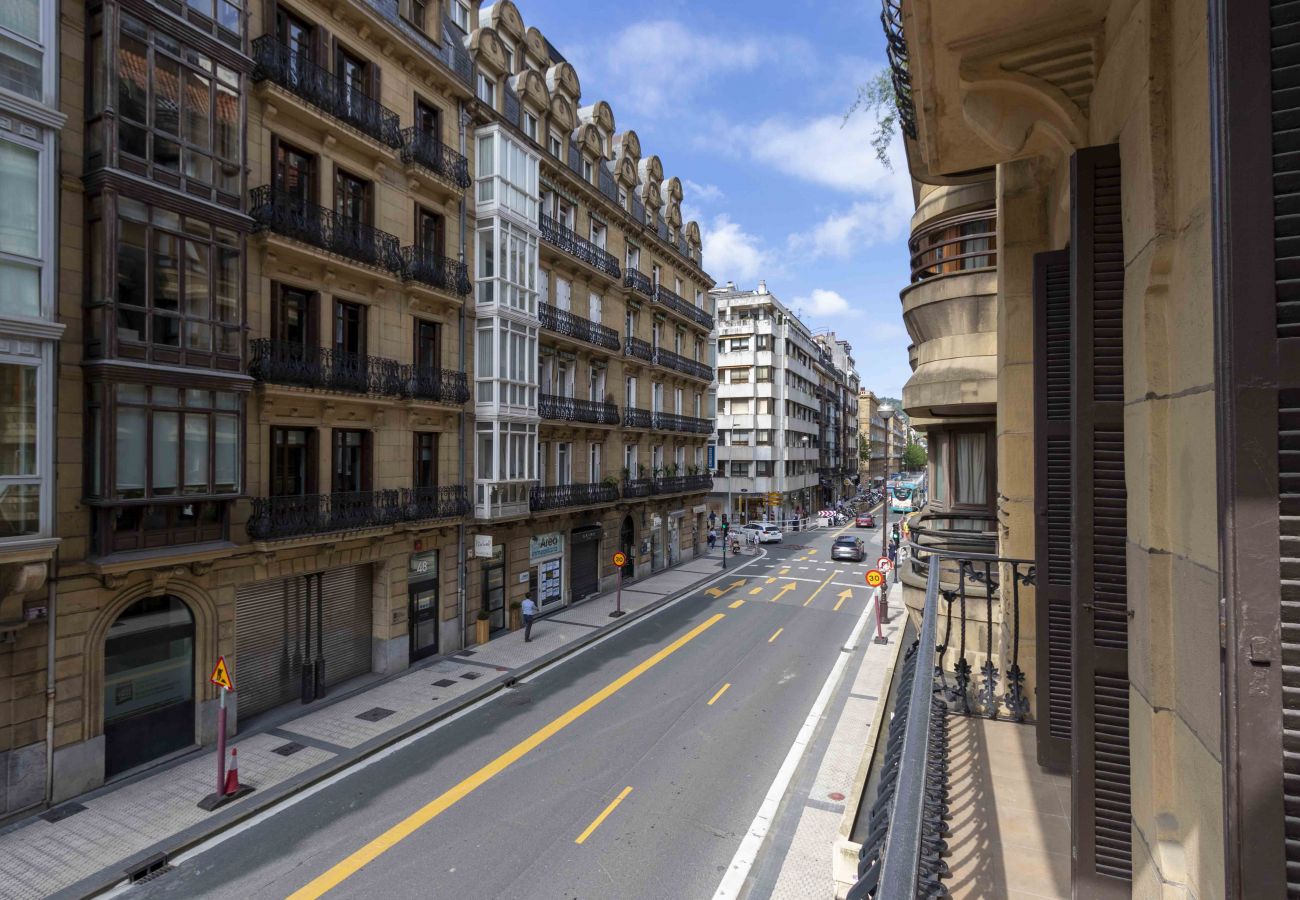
606,776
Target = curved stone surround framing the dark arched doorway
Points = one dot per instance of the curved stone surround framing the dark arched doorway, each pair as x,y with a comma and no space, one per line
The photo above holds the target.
202,607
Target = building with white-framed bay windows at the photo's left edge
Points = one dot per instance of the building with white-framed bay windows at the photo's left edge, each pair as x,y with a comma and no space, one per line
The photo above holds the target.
31,335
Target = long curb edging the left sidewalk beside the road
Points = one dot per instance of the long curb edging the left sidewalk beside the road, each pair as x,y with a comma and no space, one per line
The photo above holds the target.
110,879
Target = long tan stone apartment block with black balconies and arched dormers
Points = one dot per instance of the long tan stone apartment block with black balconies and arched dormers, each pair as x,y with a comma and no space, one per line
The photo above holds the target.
331,406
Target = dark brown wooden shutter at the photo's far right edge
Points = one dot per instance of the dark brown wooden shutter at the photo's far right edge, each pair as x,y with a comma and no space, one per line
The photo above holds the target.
1255,109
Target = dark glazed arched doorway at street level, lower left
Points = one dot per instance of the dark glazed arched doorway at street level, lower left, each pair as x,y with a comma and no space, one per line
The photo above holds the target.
149,683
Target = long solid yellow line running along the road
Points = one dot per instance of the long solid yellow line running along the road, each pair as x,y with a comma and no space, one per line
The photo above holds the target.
339,873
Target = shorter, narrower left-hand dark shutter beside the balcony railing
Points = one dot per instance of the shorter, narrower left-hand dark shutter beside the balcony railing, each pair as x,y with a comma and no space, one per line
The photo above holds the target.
1054,507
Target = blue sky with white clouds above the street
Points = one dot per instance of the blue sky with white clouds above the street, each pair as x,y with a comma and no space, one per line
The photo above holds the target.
744,102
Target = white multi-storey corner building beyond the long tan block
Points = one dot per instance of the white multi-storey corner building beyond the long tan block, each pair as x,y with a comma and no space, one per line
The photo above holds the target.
769,438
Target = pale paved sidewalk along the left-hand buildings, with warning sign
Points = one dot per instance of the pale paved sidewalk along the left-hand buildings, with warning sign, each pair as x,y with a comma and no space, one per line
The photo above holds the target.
92,843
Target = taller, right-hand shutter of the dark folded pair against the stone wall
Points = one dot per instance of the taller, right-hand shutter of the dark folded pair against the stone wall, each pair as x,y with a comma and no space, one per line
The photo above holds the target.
1103,819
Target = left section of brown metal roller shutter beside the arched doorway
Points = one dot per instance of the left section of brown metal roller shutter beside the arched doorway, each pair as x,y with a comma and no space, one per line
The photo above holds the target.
268,644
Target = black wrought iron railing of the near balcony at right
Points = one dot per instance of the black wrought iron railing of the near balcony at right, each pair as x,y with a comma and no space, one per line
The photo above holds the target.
904,849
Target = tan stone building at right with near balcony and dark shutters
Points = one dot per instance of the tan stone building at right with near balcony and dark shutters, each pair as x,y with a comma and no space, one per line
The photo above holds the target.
1129,616
